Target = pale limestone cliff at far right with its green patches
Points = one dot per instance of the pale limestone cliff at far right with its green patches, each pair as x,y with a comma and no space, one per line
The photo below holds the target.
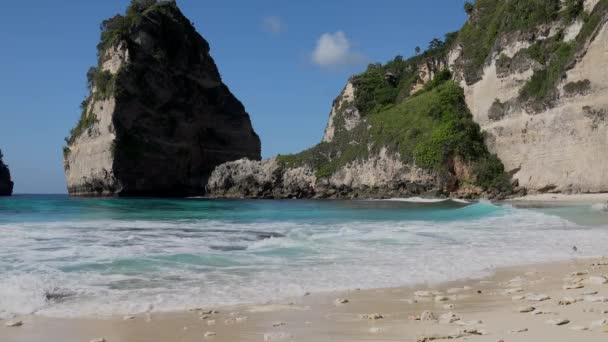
540,96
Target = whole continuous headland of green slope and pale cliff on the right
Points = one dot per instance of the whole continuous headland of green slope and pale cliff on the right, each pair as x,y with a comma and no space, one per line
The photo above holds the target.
521,108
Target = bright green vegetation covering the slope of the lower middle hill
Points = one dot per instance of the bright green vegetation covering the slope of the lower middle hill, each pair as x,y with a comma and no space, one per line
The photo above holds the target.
428,129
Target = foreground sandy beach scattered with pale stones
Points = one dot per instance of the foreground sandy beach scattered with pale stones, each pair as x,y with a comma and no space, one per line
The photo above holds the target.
564,301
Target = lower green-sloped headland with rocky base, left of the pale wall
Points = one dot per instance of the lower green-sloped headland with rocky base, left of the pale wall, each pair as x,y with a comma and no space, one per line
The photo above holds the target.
424,145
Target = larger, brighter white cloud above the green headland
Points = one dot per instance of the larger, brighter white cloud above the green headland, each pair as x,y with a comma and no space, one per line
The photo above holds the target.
334,49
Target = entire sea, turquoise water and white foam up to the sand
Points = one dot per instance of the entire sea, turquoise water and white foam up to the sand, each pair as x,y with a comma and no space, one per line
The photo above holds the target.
69,257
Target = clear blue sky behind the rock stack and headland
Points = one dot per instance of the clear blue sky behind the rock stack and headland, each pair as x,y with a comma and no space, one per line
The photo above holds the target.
285,60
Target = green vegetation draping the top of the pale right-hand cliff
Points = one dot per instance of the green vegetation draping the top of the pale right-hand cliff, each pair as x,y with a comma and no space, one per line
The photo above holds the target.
491,19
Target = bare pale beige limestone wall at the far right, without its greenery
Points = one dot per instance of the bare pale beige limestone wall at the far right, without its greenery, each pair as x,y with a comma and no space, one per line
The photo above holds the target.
559,149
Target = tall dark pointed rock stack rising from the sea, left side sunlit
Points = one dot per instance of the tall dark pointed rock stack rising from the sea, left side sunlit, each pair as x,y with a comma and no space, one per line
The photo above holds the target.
158,118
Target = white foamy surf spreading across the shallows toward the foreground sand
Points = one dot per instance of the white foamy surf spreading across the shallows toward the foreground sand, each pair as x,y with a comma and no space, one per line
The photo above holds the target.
122,267
